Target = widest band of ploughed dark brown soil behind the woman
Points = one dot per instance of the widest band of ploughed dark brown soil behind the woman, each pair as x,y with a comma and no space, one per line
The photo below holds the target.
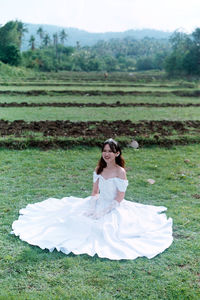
100,128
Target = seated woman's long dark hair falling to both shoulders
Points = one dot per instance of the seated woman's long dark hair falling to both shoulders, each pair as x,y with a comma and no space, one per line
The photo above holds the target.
114,146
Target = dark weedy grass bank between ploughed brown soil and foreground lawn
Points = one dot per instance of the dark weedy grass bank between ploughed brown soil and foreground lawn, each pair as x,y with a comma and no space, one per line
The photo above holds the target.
37,140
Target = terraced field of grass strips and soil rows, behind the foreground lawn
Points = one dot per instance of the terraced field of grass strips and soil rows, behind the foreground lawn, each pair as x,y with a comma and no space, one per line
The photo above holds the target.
64,110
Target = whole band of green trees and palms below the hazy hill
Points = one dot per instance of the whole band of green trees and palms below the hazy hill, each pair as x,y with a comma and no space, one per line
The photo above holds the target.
180,55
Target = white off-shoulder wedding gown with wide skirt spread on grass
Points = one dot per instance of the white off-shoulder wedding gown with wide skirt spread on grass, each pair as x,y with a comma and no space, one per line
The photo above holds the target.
128,231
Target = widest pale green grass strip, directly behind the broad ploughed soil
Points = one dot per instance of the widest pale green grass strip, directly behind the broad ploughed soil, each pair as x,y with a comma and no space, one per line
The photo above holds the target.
91,114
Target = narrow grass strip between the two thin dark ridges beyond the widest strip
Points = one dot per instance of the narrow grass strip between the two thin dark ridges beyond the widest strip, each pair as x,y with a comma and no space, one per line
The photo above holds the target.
97,99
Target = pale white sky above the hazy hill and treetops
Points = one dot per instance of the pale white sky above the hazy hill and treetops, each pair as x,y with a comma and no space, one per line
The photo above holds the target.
105,15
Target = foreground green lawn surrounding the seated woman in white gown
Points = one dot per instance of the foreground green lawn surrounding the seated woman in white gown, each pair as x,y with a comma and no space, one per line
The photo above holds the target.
27,272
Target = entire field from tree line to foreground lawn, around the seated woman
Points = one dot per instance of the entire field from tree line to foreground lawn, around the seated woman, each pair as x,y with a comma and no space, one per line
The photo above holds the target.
51,127
